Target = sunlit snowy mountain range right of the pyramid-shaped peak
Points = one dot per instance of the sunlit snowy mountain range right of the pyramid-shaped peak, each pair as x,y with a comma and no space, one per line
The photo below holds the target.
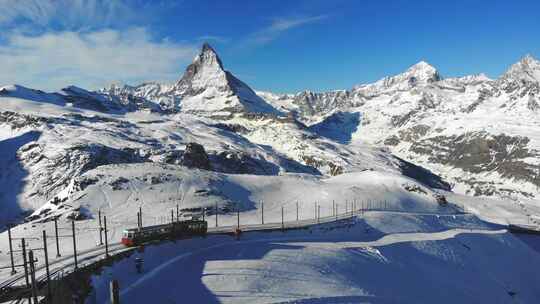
483,135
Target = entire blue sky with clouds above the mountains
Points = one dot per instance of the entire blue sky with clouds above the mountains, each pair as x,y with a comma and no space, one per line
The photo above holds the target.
281,46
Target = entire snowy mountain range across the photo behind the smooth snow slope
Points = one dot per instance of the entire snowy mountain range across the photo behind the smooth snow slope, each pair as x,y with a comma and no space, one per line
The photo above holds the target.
472,135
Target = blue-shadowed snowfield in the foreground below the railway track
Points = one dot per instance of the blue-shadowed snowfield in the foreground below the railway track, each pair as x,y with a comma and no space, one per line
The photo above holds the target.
351,262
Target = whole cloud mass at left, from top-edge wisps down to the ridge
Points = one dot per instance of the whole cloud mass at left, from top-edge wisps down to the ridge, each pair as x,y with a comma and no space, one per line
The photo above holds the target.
49,44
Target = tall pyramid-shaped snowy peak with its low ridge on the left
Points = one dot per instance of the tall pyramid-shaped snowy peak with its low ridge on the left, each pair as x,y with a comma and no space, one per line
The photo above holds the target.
206,88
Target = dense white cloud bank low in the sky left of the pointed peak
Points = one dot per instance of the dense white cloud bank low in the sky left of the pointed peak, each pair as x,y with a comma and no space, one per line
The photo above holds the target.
90,59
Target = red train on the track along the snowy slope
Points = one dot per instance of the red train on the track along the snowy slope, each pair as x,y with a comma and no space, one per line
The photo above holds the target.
180,229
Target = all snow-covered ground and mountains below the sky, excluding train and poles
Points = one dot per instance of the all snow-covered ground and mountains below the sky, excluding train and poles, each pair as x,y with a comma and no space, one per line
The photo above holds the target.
210,144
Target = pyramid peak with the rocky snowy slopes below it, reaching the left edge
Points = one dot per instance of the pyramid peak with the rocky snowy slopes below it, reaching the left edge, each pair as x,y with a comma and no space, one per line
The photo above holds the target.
207,120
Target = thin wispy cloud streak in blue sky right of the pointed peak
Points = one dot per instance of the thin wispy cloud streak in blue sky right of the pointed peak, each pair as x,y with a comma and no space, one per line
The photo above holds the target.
278,27
